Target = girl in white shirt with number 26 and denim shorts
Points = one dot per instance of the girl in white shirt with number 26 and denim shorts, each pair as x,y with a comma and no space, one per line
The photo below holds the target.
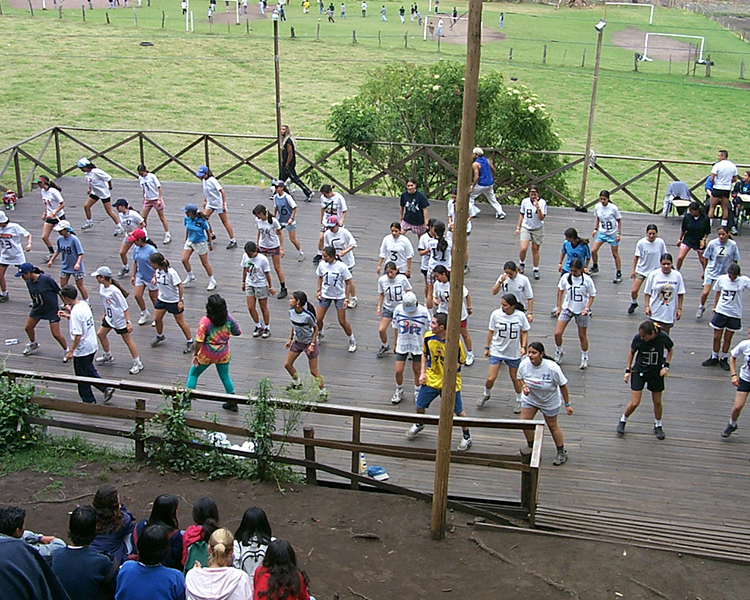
507,338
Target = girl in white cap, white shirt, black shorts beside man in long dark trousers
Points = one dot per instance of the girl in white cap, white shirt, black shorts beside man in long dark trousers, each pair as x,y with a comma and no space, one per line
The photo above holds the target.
116,316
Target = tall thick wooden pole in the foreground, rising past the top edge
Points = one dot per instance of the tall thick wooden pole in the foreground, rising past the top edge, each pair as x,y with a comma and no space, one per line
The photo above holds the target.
453,336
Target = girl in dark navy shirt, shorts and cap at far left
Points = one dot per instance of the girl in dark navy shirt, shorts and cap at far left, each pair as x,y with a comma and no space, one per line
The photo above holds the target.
44,291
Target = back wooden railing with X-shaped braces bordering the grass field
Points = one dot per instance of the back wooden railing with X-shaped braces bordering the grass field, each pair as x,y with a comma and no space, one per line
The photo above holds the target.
176,154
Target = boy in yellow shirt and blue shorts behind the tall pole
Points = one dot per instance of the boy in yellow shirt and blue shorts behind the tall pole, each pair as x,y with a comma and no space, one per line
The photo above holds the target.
431,377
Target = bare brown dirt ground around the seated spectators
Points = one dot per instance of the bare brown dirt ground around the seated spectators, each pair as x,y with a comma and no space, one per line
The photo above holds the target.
399,560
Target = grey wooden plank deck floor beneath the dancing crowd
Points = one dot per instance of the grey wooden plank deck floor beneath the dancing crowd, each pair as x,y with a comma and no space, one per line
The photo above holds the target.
692,473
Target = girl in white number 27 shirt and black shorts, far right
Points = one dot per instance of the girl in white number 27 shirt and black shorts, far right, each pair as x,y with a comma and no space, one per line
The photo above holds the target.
727,318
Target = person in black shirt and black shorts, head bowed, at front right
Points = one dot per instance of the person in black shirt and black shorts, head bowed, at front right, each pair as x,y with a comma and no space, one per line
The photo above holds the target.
651,366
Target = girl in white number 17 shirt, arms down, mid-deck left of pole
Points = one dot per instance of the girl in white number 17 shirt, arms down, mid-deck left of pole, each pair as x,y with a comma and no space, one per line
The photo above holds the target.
334,284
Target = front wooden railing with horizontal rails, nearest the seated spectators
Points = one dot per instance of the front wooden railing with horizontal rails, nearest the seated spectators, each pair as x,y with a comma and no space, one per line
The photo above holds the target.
138,416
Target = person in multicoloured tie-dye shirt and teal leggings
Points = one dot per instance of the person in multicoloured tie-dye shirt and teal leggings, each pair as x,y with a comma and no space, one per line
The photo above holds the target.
212,345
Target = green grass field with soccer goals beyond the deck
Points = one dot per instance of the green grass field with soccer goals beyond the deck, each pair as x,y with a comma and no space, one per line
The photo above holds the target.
220,77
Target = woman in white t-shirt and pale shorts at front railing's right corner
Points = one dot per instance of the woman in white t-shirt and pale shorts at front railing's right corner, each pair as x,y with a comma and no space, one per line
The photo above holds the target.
545,389
